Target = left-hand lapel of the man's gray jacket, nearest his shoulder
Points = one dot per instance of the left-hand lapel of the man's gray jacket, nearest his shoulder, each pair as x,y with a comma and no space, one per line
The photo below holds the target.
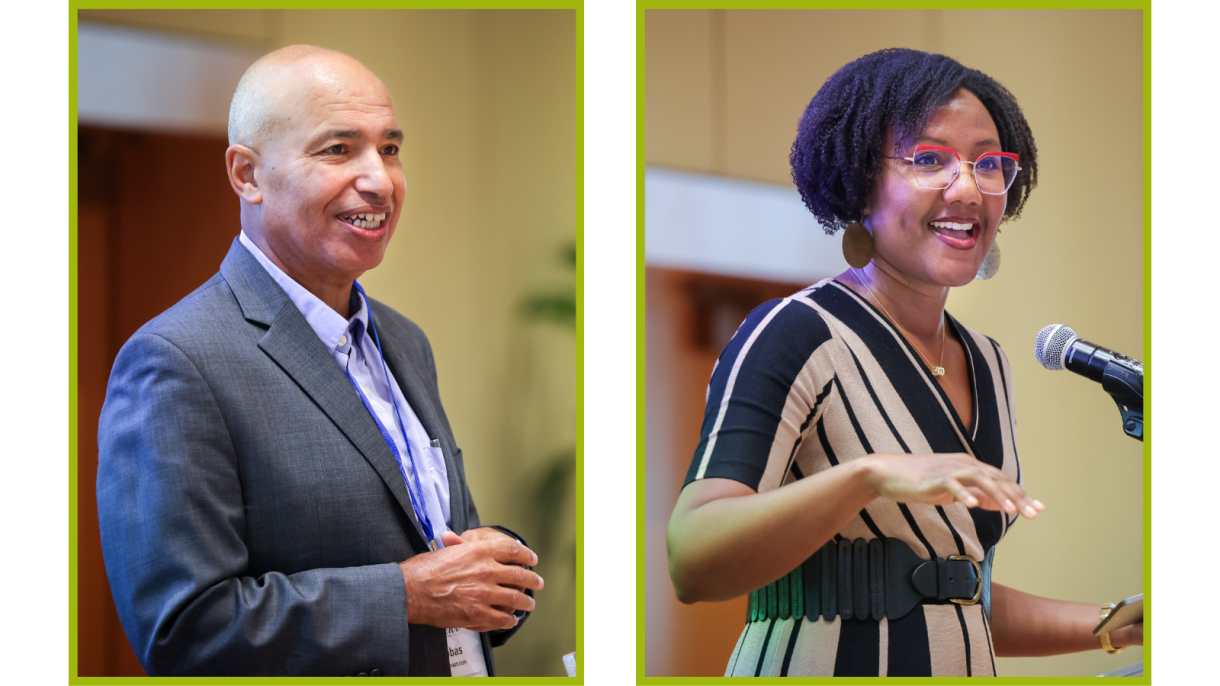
293,345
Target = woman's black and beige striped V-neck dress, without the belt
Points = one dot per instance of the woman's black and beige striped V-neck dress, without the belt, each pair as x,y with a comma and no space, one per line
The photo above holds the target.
823,378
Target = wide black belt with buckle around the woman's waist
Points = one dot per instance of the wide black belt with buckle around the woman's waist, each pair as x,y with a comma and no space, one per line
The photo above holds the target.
872,579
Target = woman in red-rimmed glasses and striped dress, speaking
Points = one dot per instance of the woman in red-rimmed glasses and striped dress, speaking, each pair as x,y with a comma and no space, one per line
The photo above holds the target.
856,431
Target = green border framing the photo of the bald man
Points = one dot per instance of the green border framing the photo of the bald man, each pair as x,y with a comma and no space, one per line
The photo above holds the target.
74,482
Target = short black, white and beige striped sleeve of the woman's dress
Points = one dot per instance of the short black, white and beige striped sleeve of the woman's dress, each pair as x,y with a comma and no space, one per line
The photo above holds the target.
762,384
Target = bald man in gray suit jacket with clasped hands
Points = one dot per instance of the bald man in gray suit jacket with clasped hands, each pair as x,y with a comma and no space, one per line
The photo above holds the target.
279,488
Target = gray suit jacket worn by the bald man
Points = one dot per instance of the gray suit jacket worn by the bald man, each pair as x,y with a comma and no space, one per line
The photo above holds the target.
252,514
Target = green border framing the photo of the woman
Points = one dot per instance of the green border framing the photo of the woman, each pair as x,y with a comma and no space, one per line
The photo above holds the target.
1146,7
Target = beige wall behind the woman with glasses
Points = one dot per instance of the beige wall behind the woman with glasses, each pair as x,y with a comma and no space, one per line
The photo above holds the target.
725,91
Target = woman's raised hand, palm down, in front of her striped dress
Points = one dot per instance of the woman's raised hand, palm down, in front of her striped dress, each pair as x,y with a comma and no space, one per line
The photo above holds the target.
941,479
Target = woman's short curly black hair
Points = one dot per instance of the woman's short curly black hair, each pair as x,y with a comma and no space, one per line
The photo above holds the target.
838,153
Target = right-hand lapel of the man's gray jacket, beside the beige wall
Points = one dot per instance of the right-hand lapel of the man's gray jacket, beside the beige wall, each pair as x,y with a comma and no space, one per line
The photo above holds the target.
409,374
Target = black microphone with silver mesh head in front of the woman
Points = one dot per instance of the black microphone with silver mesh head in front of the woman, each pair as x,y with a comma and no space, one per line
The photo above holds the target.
1057,347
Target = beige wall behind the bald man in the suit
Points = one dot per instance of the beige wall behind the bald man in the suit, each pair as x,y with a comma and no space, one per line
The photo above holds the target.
487,102
